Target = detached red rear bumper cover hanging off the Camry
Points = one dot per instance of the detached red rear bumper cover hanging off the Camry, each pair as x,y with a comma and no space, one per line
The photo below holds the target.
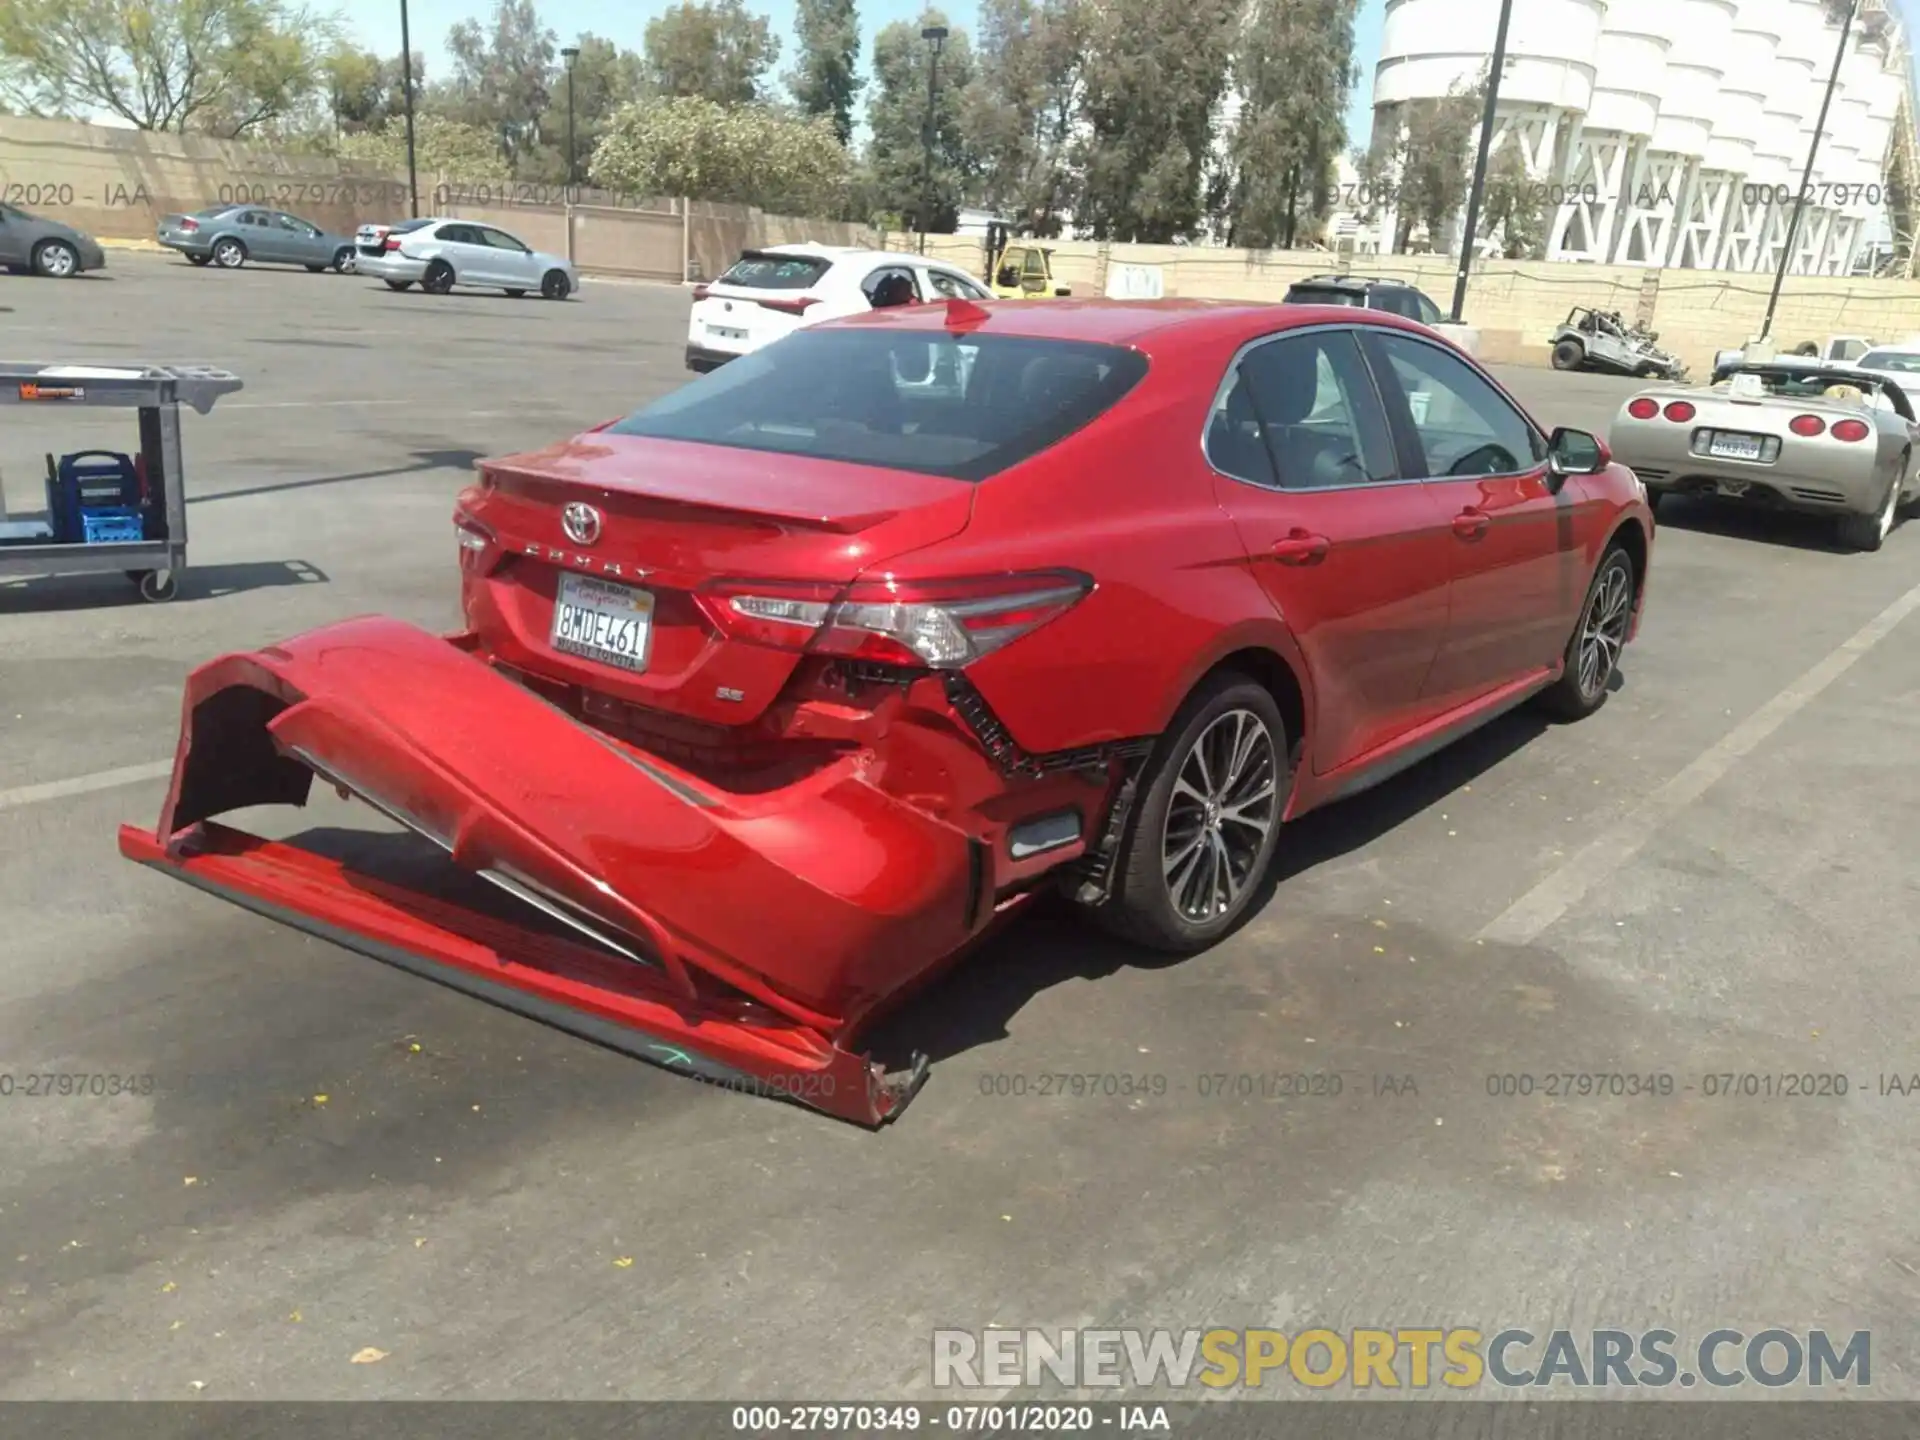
744,940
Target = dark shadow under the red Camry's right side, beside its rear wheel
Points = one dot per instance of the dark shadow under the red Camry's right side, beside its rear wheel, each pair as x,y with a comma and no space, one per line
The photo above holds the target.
1051,944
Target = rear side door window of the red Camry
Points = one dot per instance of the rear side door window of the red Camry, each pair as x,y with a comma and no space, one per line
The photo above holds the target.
1303,414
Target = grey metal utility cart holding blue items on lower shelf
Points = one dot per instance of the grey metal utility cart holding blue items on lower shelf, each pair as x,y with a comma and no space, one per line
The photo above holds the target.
110,512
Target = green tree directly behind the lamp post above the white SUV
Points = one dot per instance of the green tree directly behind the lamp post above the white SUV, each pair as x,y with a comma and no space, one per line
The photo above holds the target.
898,116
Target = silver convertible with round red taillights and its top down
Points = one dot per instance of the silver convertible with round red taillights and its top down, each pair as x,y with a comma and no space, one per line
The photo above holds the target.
1802,437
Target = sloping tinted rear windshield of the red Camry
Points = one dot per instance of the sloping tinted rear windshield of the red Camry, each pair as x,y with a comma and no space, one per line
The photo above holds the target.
938,404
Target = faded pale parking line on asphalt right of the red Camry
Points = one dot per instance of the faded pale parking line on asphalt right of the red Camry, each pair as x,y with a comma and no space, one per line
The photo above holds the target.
1529,917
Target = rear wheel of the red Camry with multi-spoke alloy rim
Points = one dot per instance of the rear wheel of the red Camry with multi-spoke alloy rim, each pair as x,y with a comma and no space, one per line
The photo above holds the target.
1209,821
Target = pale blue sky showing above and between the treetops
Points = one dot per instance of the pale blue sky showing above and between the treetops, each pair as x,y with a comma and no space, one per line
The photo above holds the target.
623,22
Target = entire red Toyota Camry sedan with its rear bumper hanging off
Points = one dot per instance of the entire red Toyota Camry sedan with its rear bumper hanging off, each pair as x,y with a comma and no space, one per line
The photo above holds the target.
779,692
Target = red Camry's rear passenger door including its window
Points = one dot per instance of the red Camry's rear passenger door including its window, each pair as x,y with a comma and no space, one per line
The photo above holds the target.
1353,556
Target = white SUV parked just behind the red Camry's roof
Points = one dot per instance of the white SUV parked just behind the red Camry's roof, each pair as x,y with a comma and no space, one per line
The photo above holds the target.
773,293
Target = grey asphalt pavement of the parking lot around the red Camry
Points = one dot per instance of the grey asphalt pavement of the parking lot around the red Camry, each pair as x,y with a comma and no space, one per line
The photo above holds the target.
1714,876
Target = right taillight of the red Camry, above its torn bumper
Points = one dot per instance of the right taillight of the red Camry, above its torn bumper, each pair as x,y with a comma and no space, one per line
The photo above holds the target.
938,625
